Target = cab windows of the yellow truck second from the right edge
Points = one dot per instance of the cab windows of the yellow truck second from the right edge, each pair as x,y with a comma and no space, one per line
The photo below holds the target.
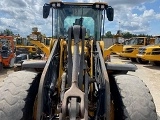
136,41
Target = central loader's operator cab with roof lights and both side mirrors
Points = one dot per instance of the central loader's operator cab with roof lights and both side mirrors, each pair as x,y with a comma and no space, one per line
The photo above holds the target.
89,15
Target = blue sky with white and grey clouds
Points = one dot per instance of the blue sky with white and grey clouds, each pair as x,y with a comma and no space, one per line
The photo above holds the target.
135,16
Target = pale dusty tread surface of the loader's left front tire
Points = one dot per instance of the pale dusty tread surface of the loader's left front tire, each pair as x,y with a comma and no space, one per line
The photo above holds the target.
13,94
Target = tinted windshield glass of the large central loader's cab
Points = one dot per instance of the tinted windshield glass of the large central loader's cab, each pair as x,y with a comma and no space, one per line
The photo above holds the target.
70,15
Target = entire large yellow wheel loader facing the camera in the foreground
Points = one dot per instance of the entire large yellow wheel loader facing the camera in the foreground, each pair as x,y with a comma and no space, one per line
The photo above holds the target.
75,82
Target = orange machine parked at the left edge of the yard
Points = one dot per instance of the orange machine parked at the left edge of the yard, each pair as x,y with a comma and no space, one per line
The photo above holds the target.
7,50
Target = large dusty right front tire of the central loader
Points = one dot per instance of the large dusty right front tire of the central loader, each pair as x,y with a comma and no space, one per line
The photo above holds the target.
132,99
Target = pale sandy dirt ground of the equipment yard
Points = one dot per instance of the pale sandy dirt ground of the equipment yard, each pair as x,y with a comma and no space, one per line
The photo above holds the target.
148,73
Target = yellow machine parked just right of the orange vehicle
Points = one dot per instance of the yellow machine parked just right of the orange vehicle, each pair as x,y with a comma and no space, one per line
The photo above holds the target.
23,46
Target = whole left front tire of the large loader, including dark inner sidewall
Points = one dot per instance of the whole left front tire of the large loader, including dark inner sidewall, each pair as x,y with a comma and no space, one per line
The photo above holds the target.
18,93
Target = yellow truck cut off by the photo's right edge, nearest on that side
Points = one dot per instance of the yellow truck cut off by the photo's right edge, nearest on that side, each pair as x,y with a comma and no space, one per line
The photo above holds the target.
151,52
